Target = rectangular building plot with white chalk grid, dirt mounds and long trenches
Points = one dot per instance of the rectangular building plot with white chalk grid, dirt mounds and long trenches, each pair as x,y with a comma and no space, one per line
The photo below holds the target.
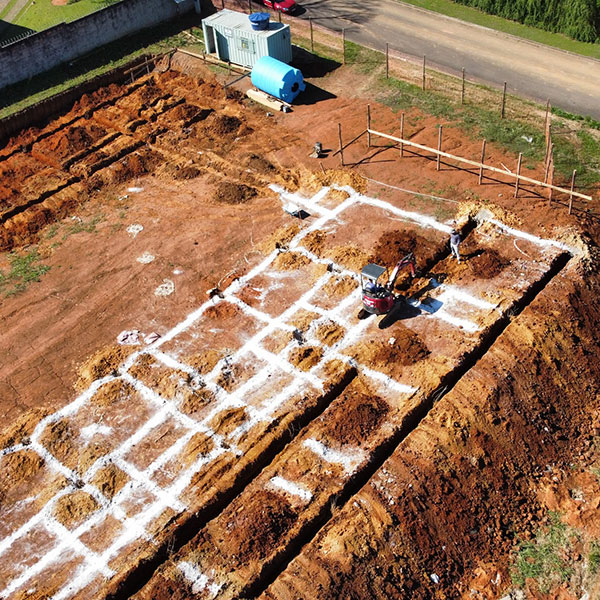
292,405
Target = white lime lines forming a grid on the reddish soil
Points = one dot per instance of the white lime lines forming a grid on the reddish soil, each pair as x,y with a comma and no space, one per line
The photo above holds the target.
135,527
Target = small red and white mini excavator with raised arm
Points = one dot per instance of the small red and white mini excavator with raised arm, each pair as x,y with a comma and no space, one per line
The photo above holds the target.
379,298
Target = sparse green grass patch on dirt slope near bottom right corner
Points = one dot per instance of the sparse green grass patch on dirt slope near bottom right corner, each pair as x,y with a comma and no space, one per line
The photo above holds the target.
546,559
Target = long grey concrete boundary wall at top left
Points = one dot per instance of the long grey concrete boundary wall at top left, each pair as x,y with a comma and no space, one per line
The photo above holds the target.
47,49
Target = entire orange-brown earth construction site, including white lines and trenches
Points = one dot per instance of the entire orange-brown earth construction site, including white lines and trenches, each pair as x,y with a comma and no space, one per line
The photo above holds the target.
163,440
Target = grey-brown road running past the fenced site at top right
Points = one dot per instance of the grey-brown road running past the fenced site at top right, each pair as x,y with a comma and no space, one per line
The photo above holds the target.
571,82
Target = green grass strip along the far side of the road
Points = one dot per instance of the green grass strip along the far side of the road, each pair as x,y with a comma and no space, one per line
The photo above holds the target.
472,15
